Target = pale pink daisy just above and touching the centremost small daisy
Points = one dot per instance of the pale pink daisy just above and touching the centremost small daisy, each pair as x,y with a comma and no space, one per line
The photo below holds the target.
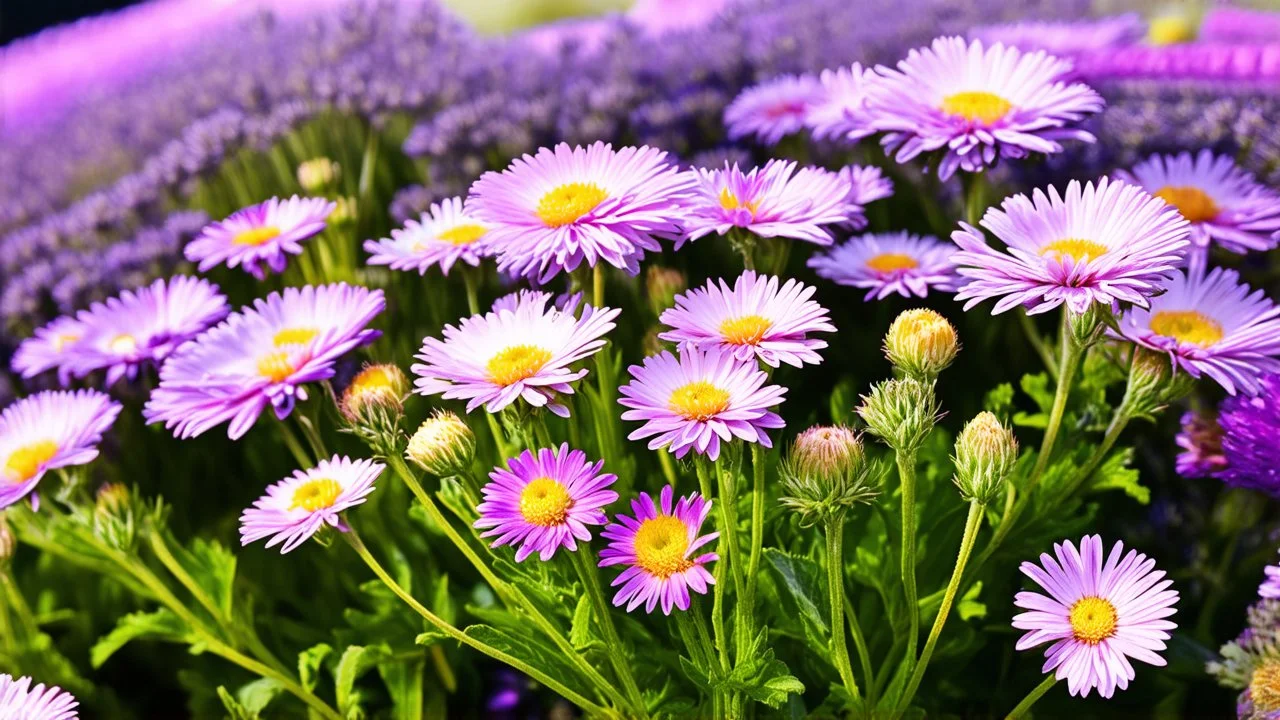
756,318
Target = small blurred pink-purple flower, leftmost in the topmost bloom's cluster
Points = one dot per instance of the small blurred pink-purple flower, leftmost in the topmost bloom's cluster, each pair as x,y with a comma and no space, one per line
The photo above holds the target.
775,108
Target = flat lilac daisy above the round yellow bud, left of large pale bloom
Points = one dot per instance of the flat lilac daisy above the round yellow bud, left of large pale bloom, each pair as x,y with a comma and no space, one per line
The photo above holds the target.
889,263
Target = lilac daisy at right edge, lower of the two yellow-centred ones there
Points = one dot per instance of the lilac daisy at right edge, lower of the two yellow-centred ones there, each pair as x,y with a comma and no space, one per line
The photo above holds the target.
1212,325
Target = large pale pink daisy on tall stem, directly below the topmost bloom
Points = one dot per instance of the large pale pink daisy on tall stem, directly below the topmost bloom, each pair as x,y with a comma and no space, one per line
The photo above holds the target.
1105,244
